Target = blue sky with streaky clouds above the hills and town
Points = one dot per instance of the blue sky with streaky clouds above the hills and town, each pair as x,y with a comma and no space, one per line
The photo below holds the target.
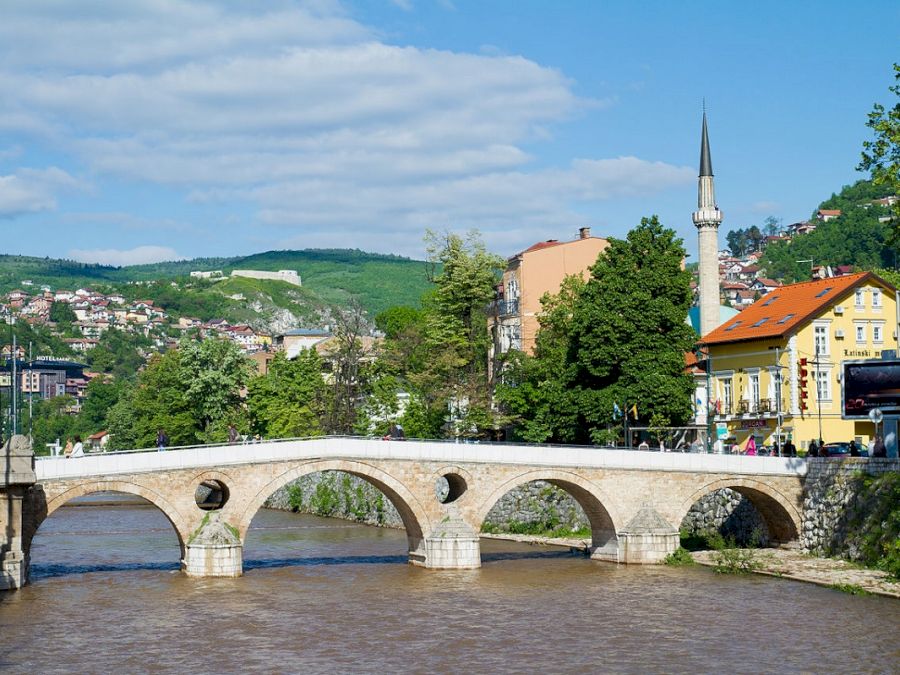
133,132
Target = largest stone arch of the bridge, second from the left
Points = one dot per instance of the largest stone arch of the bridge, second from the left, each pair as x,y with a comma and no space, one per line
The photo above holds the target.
414,517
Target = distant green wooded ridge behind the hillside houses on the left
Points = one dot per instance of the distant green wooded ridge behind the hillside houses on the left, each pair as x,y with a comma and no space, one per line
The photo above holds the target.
331,277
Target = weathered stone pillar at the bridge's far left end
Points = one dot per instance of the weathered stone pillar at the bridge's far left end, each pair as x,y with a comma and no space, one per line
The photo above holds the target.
16,477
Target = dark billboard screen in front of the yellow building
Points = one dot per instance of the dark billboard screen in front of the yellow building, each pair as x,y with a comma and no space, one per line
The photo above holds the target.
868,385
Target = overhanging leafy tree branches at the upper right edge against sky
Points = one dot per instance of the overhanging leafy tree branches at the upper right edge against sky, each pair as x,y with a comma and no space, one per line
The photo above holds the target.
881,156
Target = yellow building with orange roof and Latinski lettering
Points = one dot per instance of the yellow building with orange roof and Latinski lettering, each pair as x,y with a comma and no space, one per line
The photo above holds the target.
775,369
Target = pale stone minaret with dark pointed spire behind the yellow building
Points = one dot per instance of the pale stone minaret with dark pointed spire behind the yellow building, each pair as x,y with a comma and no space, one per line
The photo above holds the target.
707,218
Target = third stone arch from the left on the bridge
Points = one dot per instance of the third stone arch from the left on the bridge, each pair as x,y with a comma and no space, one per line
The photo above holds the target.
598,506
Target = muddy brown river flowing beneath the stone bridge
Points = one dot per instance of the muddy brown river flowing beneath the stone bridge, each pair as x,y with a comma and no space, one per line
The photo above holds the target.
321,595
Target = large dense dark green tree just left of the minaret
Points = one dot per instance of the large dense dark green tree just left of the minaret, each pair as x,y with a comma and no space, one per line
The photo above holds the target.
629,331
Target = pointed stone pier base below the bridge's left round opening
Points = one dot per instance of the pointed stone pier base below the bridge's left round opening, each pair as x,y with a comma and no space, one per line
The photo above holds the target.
214,550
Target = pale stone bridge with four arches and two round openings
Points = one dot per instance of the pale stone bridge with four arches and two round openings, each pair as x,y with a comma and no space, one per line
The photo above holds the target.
634,500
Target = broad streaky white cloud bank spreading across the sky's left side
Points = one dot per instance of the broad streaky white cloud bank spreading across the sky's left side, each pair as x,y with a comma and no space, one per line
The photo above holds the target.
303,115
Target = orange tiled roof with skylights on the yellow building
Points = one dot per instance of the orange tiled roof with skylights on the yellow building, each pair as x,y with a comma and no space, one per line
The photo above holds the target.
784,309
